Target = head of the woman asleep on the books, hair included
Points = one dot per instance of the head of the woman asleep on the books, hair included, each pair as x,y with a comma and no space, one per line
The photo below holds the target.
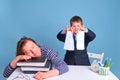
27,46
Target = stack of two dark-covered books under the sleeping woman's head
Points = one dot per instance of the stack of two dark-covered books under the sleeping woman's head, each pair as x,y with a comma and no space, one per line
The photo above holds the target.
35,64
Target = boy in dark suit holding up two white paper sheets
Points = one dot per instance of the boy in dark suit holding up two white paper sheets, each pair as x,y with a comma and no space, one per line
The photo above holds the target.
75,55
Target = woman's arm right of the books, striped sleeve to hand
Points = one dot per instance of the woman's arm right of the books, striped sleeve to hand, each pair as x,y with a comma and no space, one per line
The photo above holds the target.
60,66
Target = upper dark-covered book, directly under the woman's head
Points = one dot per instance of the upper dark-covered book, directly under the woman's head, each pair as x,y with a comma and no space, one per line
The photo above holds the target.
38,61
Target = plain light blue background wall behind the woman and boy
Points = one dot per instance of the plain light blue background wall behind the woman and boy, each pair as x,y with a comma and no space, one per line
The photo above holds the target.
43,19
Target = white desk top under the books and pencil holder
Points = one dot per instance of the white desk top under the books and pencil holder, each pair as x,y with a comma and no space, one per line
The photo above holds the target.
74,73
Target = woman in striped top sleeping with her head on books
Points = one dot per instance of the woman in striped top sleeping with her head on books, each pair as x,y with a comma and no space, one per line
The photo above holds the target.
27,48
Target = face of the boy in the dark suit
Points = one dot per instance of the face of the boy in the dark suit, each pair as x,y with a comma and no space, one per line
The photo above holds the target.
76,26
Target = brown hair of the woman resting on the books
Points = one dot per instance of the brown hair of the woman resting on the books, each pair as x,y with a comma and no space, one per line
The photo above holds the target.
21,43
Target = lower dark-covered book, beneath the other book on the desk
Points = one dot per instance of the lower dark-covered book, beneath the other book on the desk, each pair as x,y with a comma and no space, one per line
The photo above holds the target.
47,67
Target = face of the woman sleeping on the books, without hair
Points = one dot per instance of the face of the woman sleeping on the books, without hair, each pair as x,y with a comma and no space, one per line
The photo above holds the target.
31,49
